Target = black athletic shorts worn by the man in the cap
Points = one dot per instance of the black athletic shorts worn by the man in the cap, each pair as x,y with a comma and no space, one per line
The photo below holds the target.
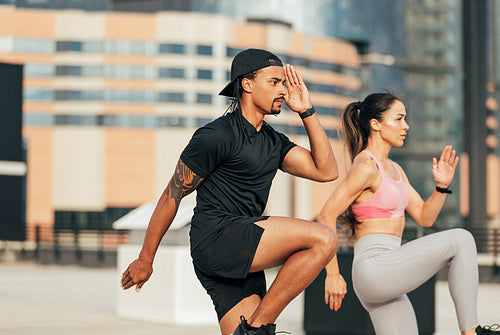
222,263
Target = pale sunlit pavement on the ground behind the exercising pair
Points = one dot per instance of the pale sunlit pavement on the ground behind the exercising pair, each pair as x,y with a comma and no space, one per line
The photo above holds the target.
71,300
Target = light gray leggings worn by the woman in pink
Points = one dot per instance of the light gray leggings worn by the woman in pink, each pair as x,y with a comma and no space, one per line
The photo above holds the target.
383,272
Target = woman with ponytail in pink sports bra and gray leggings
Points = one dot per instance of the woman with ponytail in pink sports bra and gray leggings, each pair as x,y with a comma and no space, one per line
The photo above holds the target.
375,193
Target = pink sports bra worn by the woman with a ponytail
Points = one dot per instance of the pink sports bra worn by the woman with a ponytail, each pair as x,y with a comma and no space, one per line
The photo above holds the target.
389,201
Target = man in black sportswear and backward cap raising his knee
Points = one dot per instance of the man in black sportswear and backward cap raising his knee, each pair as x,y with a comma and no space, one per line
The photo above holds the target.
231,162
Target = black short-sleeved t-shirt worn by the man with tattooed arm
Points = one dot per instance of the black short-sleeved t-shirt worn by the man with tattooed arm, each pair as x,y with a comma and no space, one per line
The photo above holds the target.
238,164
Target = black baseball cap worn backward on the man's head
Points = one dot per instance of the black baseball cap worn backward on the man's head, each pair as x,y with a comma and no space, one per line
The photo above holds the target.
248,61
